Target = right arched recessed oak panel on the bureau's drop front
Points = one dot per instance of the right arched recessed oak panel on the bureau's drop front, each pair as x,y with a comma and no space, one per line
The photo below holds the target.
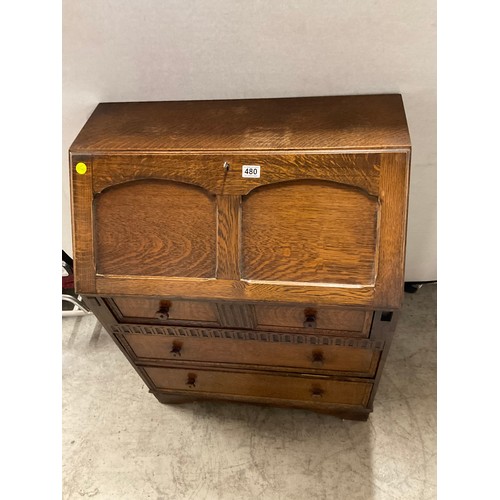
309,231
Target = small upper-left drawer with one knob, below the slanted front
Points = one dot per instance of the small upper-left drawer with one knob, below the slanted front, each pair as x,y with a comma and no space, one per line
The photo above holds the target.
163,311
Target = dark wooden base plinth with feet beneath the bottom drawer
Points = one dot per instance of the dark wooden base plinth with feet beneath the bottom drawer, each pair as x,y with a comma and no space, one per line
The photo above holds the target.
341,411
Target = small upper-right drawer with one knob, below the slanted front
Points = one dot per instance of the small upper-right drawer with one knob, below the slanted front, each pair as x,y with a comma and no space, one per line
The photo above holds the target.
356,322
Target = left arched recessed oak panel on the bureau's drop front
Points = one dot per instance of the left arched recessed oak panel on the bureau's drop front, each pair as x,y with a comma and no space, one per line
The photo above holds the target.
155,228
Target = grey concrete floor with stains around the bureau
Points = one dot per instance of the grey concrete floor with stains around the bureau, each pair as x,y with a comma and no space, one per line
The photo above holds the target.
120,443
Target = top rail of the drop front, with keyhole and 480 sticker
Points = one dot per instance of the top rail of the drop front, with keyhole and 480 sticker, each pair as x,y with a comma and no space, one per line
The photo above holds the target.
208,172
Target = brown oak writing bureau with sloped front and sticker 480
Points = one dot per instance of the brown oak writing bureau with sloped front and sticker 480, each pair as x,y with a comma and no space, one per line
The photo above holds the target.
246,250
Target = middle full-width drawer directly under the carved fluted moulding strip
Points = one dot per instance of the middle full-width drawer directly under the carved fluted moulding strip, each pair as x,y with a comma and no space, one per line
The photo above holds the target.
359,361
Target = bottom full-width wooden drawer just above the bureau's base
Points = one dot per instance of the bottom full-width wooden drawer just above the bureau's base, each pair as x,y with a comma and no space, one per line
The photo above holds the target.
261,385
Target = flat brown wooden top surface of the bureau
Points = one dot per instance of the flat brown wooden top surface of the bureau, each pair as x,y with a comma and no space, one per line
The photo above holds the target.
302,123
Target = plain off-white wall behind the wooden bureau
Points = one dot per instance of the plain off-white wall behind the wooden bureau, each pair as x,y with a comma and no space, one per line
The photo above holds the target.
125,50
